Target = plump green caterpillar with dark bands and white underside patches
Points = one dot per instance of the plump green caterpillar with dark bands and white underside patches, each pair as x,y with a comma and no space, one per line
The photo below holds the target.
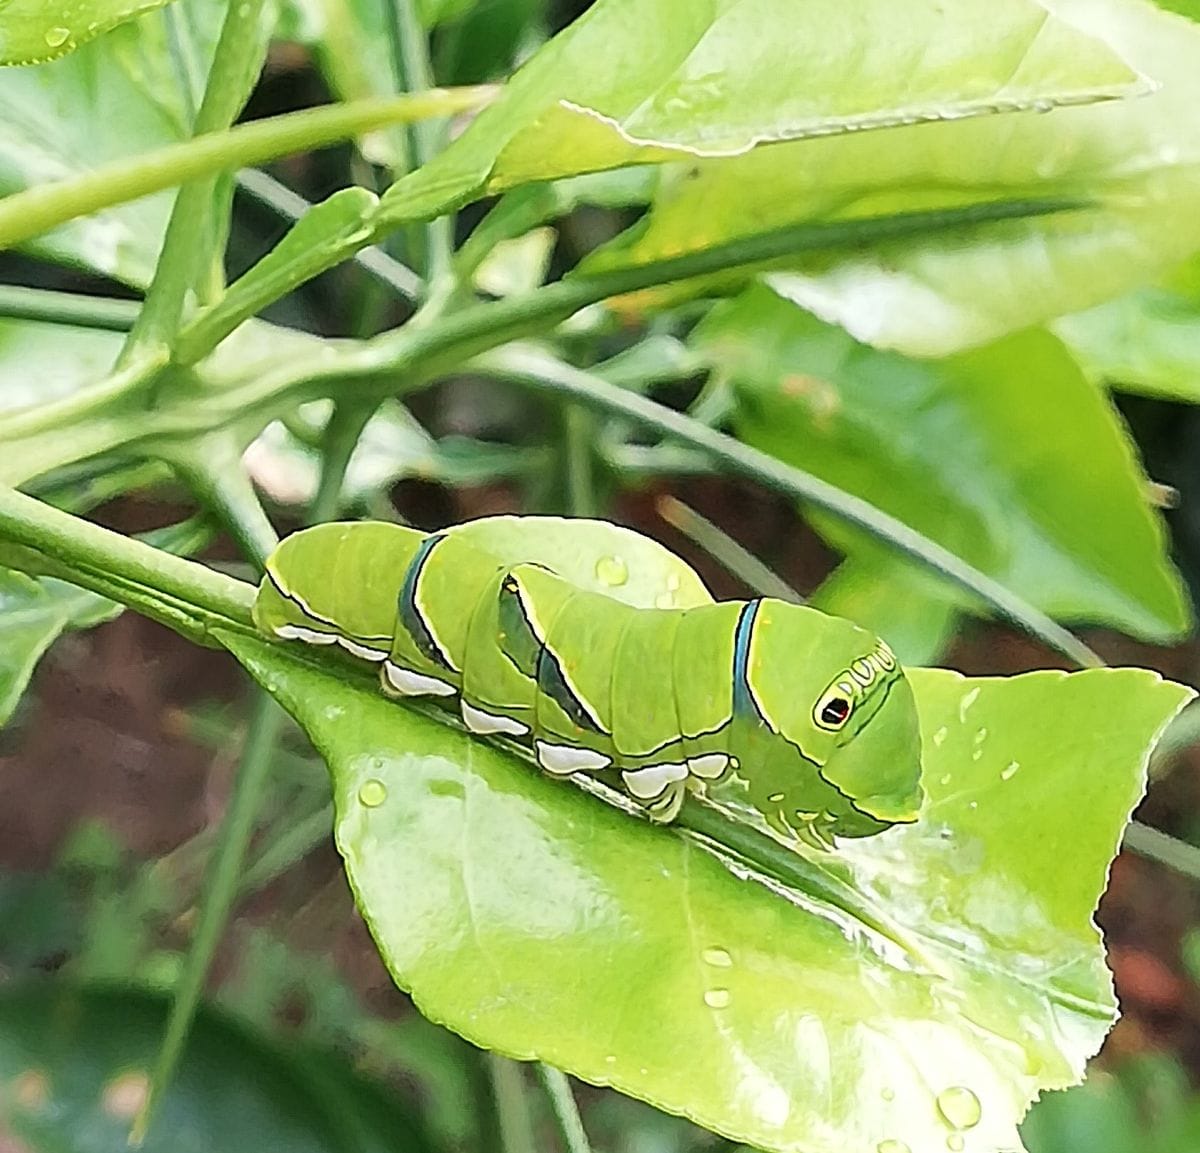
805,718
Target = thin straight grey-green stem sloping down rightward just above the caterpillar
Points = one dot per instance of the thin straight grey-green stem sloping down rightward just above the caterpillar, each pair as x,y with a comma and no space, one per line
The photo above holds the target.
544,373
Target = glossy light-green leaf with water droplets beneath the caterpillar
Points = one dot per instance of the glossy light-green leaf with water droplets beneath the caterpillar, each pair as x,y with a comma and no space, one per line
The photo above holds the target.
535,920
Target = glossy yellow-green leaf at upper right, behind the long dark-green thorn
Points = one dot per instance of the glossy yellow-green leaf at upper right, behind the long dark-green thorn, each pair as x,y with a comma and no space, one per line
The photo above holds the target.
1141,159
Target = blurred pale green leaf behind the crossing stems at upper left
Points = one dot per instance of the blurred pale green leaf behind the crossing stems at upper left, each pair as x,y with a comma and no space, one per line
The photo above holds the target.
117,98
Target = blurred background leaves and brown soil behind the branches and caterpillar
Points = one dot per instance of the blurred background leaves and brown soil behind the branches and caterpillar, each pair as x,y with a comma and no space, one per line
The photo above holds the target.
117,766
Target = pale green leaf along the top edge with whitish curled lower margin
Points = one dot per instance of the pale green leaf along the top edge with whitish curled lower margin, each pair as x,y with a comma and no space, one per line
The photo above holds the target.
712,79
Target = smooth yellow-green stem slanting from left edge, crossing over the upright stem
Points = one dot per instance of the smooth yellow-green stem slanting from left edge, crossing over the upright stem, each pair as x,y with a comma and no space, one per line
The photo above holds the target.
37,211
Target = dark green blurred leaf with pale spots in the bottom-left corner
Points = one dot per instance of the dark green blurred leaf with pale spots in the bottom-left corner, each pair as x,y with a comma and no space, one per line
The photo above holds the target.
74,1068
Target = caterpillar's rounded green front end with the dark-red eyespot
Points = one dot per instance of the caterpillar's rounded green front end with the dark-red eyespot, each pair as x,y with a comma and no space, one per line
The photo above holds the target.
838,694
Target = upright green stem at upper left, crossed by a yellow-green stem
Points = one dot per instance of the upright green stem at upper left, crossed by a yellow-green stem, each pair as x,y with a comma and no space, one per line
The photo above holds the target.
194,231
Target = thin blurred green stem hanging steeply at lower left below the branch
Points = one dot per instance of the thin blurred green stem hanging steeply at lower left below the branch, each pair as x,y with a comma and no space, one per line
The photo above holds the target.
217,899
